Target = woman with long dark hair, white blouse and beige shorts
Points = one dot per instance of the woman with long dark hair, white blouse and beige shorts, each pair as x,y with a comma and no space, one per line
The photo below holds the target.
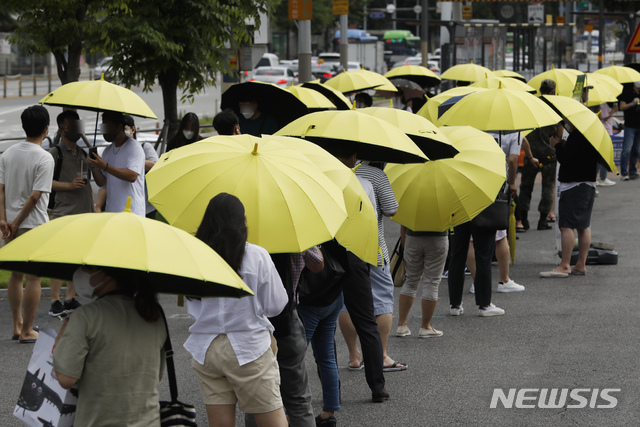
231,340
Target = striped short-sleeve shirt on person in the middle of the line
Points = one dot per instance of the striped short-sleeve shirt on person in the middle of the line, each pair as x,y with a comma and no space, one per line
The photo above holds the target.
386,203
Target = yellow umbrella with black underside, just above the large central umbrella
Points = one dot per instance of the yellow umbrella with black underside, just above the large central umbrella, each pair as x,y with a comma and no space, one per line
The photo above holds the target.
373,139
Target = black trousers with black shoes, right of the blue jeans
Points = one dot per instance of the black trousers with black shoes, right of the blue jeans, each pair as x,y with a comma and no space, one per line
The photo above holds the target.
356,288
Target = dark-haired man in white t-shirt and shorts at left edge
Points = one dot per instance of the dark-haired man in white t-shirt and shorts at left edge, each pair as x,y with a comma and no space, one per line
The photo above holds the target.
26,174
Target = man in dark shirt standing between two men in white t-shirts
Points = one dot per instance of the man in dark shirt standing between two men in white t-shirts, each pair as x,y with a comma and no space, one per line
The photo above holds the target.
73,194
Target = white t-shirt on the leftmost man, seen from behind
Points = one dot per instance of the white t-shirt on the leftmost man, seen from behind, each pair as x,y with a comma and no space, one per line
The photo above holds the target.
26,167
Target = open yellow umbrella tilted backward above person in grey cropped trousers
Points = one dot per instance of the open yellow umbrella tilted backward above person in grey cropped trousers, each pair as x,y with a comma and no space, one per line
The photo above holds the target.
441,194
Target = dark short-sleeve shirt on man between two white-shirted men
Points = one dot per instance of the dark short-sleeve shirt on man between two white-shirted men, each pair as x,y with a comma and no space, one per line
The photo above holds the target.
70,202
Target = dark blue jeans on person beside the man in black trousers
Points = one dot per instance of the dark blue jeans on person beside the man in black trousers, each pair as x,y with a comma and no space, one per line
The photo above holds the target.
320,327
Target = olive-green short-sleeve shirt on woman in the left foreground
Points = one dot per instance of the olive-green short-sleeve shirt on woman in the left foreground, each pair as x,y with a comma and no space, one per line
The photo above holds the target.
118,359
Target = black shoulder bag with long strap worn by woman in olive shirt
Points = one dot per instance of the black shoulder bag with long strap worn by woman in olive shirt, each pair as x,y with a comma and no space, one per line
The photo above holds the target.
174,412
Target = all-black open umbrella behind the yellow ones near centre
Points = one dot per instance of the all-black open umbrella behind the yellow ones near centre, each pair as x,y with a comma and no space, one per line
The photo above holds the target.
272,99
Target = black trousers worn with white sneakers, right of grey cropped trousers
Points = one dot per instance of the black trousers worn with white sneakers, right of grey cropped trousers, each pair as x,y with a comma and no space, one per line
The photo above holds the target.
484,243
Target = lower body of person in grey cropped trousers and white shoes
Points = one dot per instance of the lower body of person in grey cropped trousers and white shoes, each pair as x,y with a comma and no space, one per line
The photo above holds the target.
425,254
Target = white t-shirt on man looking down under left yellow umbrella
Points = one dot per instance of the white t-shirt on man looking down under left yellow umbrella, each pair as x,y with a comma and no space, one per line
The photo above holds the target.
129,155
